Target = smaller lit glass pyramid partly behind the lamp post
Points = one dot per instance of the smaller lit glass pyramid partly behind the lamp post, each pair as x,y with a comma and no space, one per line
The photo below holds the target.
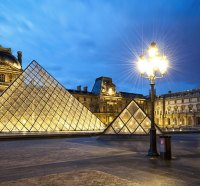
132,120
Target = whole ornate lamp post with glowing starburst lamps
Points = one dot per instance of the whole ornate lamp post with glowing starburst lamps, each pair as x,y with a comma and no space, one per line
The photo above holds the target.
152,66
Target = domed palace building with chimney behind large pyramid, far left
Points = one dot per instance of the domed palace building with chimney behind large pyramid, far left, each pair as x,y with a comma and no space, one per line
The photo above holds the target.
10,67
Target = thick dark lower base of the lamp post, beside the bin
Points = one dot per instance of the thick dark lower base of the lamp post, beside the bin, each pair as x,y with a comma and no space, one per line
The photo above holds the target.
153,149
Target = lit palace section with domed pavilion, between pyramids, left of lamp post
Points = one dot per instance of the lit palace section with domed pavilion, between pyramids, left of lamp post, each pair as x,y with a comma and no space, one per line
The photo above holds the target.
104,101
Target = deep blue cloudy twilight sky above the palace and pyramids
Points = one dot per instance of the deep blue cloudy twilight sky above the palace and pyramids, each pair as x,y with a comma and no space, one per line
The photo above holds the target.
80,40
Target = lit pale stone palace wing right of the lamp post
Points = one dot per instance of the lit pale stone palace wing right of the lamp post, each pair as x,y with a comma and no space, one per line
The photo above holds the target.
179,109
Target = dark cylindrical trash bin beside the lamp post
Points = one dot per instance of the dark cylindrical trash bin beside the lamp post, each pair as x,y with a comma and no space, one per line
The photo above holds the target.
165,147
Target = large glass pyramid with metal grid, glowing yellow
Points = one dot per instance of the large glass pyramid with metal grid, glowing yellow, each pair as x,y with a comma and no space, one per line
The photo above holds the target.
36,102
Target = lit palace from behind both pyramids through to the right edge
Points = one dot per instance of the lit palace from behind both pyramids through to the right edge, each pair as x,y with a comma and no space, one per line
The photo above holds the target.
173,110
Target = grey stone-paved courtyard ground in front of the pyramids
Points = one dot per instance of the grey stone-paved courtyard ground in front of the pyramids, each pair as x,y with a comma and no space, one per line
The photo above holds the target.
91,161
